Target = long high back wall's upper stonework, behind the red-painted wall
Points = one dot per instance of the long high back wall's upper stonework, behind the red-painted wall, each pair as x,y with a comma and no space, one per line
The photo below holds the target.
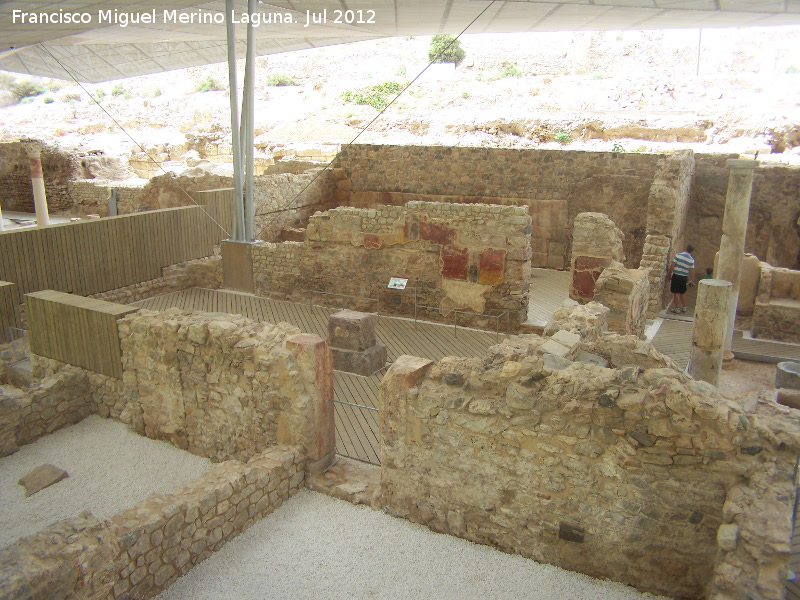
616,184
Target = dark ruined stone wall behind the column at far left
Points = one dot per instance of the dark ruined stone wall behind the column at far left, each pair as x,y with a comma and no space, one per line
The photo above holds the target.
58,169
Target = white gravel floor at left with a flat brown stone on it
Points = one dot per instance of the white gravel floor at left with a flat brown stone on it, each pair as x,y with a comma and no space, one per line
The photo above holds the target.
110,469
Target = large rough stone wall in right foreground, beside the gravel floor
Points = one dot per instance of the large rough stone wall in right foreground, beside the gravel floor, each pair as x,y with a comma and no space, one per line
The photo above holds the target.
631,471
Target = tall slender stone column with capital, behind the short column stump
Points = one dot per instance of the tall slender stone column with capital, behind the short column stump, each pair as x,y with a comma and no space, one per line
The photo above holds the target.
734,230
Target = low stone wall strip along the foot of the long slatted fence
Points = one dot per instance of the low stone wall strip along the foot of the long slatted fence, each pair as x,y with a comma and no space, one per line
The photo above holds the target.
201,272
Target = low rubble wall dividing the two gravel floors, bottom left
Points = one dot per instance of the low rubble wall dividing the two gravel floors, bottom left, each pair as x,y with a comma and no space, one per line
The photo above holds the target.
141,551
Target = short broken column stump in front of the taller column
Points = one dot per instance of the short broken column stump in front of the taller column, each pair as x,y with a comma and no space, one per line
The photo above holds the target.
708,333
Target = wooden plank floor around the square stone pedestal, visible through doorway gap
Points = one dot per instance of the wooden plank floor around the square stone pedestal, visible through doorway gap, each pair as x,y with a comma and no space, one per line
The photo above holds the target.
356,428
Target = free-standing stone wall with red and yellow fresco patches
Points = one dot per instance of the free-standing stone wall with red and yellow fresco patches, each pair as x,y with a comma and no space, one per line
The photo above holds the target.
465,257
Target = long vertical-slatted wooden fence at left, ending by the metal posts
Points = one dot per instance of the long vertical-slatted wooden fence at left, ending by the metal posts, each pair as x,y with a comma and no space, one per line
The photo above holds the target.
89,257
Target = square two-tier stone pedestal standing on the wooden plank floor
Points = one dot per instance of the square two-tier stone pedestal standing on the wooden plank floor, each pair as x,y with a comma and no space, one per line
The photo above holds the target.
351,337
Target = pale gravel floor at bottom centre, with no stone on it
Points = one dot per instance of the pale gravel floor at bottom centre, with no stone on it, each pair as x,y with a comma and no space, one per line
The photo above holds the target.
317,547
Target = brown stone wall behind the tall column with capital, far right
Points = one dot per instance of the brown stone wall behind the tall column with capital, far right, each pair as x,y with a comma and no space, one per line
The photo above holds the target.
773,233
